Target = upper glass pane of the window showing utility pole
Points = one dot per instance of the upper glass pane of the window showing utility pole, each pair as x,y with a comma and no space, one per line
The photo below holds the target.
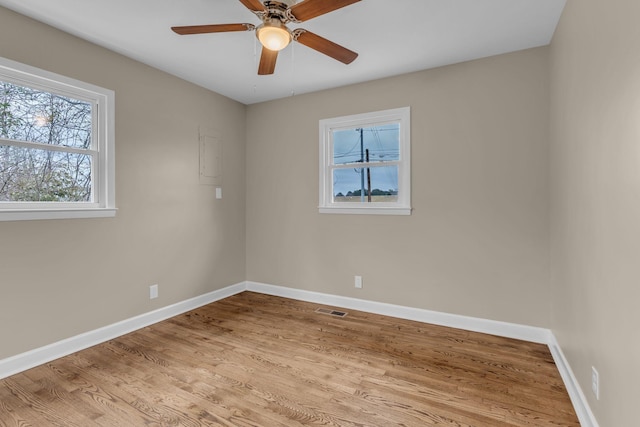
351,145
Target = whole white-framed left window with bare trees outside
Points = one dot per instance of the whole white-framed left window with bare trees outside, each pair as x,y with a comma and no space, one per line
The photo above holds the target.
56,146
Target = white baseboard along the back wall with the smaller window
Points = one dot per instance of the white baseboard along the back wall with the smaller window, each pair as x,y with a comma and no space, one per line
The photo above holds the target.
493,327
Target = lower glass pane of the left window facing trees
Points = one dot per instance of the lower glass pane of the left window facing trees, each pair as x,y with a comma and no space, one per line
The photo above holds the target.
39,175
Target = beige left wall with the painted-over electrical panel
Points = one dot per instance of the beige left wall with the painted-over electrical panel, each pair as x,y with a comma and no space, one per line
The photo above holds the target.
61,278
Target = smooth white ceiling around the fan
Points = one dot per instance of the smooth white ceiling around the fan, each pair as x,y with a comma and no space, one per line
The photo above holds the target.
392,37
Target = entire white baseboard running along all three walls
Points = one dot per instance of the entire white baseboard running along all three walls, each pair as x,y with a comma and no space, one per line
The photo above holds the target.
21,362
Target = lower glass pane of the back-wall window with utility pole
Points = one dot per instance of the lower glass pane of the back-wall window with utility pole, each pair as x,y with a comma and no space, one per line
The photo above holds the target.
354,185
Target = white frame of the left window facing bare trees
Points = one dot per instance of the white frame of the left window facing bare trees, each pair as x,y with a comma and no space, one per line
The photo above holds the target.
103,145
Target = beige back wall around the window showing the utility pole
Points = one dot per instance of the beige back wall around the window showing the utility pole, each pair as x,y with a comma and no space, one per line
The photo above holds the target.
477,241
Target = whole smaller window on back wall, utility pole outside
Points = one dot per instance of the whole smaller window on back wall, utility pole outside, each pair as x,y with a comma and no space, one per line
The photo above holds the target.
365,163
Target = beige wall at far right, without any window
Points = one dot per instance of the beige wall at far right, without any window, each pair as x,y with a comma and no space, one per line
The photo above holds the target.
595,215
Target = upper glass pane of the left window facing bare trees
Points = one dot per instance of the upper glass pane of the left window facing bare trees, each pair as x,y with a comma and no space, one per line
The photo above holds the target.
36,116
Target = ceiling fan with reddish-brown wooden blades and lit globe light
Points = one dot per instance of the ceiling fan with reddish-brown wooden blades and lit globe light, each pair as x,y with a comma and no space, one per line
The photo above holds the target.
273,32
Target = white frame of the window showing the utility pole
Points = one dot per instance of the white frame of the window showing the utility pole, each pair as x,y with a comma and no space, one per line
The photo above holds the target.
327,126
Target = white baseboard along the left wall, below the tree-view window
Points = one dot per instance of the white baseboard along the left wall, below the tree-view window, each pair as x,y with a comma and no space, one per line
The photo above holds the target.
21,362
